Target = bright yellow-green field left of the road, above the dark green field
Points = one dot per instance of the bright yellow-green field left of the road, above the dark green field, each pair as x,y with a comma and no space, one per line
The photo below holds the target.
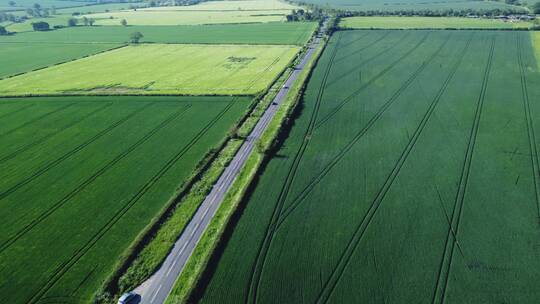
160,69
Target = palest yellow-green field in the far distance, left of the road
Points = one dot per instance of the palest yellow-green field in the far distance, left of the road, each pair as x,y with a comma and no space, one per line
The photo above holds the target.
212,12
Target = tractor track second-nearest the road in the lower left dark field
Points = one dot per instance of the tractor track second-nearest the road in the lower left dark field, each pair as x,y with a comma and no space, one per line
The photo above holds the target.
88,181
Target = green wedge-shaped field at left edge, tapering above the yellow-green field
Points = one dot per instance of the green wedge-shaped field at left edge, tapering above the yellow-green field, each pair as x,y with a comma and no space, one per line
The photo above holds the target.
18,58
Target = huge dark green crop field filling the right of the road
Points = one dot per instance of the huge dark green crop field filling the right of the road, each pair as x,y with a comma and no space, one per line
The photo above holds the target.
411,175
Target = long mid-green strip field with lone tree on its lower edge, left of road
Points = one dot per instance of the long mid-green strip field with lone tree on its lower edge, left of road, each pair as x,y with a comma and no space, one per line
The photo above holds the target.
294,33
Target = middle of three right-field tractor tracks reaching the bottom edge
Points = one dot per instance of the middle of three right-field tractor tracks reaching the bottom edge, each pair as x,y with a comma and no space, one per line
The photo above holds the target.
362,227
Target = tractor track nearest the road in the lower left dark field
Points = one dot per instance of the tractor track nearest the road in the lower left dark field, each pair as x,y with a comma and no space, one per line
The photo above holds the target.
64,267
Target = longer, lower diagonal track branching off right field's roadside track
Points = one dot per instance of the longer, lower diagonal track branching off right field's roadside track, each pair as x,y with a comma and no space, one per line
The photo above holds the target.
315,181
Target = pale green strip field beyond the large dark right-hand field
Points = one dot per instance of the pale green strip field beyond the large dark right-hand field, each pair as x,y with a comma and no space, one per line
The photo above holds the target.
427,22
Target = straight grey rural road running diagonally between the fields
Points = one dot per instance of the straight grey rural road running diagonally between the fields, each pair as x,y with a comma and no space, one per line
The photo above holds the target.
156,289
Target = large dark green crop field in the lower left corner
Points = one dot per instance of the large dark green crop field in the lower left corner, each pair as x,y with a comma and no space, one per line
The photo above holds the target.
80,177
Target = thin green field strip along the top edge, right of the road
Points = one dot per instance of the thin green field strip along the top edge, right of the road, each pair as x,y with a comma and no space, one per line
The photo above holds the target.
414,5
